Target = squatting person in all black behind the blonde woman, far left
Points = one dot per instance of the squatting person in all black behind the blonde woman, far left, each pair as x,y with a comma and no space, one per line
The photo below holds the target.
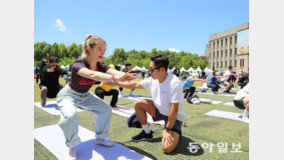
49,84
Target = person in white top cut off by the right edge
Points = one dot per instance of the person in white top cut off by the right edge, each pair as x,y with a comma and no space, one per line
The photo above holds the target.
241,100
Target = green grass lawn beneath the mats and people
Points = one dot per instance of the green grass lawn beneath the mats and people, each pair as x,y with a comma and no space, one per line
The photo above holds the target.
199,128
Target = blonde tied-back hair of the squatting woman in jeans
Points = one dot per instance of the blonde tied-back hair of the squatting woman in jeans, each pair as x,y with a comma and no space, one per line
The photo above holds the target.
90,41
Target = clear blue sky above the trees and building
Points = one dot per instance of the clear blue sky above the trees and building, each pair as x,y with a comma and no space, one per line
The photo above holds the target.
138,24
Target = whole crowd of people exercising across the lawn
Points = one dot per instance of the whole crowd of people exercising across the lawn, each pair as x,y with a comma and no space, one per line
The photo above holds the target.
166,91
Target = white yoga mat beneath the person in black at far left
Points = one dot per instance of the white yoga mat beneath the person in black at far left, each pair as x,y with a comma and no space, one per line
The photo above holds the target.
51,107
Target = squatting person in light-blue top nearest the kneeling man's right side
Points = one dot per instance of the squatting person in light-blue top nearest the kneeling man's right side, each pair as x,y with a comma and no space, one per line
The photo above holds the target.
187,85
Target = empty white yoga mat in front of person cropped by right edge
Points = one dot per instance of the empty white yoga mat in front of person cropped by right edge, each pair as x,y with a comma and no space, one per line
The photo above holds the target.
225,114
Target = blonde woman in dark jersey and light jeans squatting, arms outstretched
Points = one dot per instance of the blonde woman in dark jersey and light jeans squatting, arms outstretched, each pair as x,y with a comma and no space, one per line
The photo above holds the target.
85,72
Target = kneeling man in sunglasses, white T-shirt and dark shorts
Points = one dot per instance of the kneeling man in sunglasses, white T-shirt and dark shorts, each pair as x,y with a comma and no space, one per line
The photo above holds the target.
167,103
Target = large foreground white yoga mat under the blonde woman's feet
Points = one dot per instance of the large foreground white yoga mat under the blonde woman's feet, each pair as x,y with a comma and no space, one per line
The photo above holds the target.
52,138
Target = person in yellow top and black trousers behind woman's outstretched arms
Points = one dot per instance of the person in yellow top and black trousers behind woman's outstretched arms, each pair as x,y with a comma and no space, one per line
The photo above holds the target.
106,90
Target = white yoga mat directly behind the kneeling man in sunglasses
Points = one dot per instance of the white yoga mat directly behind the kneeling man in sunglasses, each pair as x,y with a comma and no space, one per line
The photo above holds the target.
127,112
